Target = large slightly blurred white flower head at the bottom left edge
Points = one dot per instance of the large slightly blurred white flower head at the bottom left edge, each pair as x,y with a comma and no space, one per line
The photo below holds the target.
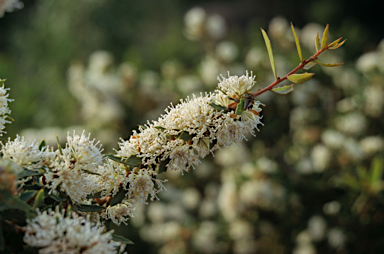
54,232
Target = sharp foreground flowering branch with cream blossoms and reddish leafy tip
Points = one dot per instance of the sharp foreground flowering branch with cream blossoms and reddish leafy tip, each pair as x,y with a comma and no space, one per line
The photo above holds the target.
69,195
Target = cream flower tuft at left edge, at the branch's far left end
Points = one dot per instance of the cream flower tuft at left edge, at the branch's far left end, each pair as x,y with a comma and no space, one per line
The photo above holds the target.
26,154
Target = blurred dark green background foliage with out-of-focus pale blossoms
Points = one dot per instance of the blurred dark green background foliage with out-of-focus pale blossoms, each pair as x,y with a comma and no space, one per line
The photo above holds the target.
312,179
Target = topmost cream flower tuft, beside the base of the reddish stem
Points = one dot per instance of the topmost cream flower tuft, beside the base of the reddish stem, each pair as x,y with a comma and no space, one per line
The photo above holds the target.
234,85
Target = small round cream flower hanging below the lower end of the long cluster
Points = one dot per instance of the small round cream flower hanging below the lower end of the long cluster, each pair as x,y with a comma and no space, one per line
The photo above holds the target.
142,184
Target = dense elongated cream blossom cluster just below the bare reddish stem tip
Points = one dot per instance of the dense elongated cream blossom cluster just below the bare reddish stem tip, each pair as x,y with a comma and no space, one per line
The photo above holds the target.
194,128
